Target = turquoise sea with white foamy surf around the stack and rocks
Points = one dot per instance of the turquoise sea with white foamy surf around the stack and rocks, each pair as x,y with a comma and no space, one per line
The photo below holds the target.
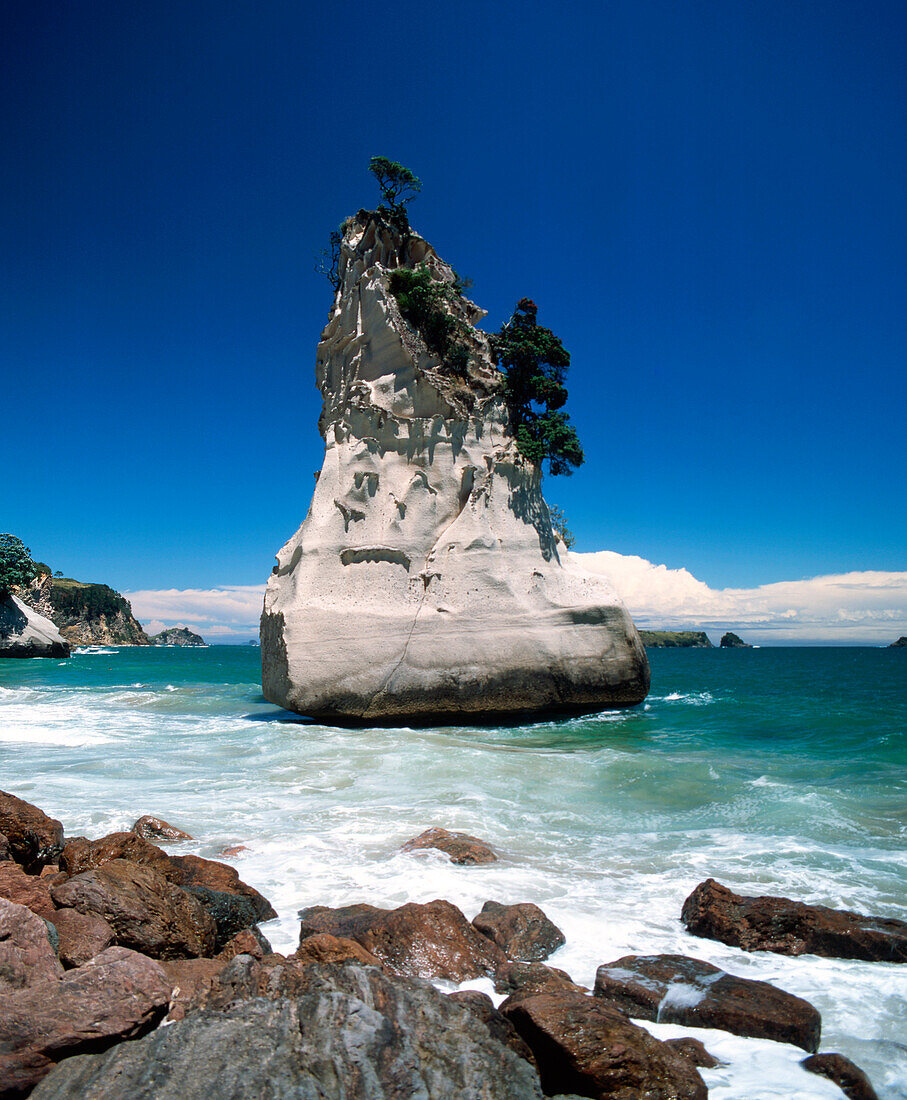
773,771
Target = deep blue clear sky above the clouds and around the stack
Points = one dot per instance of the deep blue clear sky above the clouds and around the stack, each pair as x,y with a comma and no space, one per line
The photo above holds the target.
706,201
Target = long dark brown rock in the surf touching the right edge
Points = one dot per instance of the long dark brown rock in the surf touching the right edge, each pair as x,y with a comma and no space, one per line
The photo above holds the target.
792,928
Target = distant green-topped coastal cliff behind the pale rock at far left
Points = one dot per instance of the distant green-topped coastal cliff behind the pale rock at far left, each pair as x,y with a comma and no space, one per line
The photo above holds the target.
85,614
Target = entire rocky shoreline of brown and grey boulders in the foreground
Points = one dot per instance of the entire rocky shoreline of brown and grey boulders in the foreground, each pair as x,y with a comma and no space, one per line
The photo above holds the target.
103,941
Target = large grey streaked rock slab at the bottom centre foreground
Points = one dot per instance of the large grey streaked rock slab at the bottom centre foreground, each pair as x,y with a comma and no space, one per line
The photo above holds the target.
353,1033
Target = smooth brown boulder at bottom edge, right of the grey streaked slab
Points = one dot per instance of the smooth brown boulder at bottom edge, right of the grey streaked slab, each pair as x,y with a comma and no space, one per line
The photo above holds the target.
588,1048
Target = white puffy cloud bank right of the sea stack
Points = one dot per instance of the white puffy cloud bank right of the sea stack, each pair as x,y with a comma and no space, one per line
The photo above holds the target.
844,609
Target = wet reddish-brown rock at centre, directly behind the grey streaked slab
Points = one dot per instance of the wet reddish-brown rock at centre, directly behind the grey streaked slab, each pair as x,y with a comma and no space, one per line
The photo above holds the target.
432,941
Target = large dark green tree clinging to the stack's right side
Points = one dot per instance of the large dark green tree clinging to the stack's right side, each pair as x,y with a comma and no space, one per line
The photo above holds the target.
535,366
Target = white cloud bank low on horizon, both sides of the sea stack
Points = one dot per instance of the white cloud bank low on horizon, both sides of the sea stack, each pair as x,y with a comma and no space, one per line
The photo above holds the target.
848,609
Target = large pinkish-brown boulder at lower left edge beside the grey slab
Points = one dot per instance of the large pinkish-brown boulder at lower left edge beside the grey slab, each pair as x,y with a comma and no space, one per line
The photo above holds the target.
118,996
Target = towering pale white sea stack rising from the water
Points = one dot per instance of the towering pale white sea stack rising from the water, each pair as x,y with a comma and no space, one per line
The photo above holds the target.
426,582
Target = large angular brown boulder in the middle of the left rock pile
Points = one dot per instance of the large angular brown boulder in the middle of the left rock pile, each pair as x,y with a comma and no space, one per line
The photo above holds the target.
147,912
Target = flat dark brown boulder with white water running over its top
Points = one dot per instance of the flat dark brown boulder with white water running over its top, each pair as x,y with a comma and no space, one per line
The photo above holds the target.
674,989
